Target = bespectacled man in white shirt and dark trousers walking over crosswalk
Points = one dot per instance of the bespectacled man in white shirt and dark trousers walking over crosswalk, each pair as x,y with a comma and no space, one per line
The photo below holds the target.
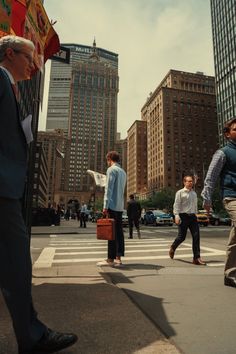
185,209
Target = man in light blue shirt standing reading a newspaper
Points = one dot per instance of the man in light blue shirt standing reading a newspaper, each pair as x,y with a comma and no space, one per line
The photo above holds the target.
113,207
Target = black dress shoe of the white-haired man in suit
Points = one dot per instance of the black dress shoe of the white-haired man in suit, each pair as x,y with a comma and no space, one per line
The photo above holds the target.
53,341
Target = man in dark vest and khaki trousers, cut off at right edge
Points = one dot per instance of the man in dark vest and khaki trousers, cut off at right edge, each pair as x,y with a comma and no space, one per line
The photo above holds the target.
223,165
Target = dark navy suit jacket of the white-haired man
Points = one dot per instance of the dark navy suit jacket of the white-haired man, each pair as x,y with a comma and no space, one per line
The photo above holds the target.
13,145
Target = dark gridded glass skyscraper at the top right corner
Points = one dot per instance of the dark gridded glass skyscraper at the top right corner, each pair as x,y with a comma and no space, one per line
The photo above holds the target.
223,14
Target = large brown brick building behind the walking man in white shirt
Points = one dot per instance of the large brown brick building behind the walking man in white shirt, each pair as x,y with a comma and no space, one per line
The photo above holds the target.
181,129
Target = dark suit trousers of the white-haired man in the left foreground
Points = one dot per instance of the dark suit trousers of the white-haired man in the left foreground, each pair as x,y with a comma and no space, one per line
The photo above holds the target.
16,274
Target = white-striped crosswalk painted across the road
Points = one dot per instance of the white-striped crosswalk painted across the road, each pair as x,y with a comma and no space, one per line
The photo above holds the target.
64,250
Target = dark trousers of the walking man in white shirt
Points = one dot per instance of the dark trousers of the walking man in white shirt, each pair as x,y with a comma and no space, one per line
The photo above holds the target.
188,221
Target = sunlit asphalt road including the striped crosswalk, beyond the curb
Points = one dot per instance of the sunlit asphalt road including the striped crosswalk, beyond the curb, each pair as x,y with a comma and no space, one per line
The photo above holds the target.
188,303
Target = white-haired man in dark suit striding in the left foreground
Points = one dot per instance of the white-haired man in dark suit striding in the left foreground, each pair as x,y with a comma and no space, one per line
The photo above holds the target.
16,64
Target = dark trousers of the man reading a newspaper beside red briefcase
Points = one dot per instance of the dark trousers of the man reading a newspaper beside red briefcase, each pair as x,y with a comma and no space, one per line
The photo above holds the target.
116,247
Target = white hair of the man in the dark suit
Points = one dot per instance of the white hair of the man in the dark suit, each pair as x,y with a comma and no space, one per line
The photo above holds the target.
13,42
